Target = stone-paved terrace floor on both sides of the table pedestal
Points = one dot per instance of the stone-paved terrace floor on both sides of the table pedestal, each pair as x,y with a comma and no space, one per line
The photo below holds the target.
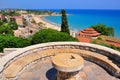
43,70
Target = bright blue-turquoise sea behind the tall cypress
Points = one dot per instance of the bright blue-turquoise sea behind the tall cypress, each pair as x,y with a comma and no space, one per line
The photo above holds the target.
81,19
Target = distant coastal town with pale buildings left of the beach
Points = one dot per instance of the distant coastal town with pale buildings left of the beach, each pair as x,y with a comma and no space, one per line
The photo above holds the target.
26,20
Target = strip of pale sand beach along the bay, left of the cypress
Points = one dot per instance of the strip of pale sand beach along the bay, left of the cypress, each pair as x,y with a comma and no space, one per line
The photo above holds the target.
47,24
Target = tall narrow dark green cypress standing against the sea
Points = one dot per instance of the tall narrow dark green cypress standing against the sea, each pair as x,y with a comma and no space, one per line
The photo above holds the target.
64,25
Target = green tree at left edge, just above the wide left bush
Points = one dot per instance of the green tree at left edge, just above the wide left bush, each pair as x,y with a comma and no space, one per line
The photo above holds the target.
6,29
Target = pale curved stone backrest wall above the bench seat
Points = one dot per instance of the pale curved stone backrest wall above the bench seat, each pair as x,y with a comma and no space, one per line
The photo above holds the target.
6,60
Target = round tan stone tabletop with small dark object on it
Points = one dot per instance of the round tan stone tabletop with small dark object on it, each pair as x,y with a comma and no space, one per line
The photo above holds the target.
68,62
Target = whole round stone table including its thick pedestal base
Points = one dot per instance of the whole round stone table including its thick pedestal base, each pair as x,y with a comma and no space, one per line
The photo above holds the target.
68,66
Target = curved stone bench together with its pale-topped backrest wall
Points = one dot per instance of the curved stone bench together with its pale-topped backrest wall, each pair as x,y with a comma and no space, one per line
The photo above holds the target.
103,56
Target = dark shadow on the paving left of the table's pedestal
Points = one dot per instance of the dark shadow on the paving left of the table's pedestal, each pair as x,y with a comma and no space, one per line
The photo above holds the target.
51,74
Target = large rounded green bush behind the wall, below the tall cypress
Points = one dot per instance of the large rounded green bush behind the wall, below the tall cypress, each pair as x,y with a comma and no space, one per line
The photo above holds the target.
50,35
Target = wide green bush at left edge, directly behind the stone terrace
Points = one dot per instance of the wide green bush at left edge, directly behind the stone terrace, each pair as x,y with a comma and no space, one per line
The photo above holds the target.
12,42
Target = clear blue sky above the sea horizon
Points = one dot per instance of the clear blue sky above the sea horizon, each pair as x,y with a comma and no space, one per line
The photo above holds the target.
61,4
